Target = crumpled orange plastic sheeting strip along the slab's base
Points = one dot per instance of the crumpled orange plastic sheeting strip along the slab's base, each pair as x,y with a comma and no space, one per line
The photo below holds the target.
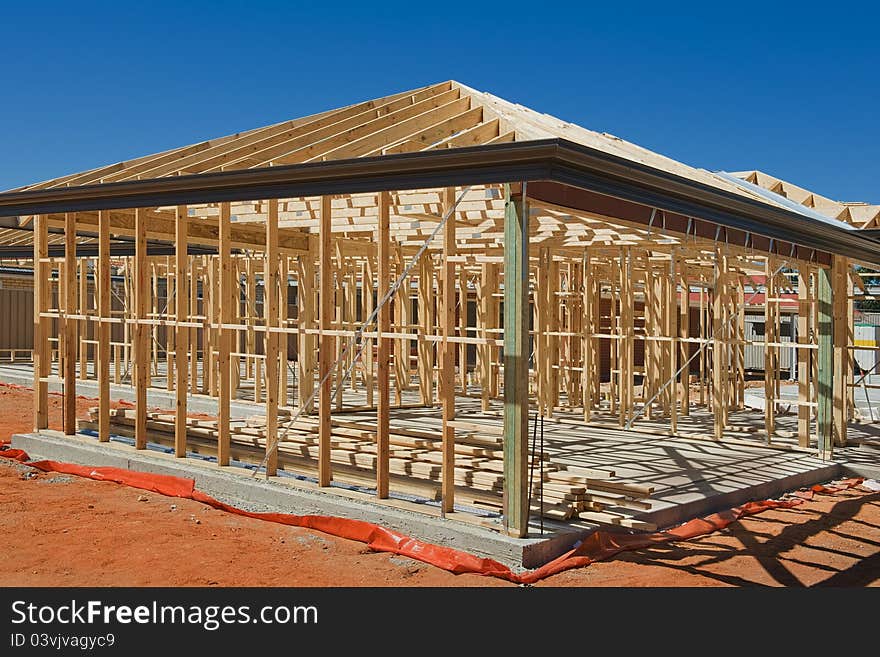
596,547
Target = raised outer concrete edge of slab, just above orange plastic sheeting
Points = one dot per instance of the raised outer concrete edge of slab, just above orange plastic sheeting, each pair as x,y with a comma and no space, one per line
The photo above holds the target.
236,486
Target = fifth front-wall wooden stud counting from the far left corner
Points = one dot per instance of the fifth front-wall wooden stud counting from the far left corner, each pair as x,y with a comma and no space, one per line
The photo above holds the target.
181,333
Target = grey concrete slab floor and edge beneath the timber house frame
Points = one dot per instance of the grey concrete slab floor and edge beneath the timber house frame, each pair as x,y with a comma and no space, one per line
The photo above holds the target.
690,477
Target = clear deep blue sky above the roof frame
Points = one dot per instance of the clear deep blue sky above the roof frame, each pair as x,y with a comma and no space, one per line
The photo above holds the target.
779,86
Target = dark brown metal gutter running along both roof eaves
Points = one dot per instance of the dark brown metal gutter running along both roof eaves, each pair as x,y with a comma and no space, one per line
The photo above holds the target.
556,160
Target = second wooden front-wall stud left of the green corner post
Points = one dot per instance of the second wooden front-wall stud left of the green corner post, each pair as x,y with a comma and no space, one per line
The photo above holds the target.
384,348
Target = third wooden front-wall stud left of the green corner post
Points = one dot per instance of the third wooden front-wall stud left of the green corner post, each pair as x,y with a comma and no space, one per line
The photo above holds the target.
327,347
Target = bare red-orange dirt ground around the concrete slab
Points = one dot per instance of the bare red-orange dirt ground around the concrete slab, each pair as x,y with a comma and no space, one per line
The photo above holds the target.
66,531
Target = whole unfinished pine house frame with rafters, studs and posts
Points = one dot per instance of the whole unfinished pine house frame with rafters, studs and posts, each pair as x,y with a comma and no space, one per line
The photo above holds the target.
602,279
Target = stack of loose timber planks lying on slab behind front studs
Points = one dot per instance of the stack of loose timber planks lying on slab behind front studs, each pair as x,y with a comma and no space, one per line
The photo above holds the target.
568,492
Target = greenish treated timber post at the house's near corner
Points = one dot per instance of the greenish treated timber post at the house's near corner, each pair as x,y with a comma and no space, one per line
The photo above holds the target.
516,365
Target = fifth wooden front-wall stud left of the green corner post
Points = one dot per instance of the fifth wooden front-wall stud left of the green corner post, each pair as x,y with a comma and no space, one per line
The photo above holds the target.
226,296
